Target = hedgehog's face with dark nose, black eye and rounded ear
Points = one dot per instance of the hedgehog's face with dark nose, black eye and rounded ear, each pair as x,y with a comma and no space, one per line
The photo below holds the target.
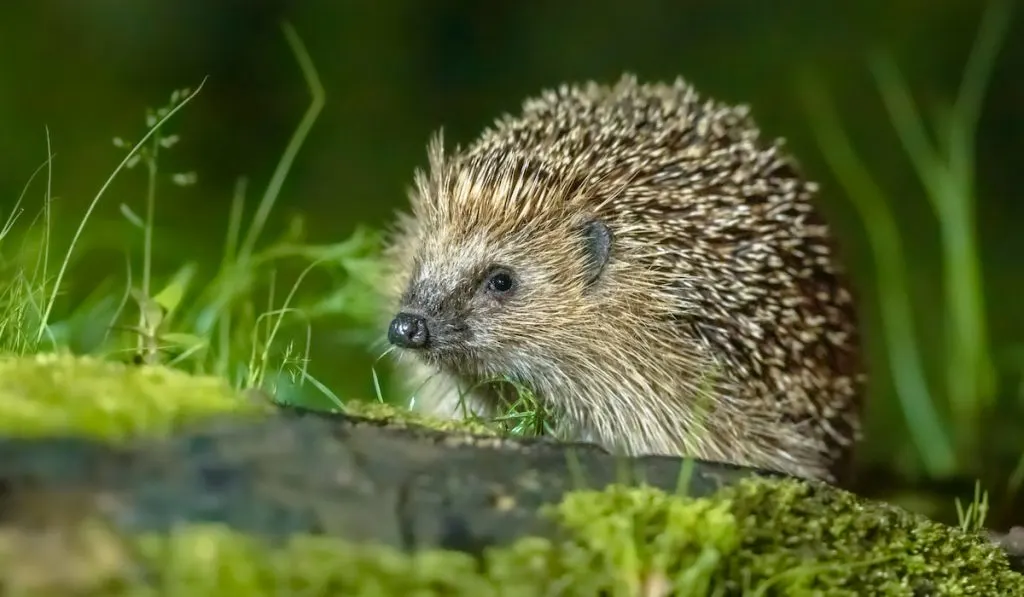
483,306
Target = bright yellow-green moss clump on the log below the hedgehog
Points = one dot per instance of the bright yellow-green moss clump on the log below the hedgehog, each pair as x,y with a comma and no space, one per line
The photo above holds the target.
625,541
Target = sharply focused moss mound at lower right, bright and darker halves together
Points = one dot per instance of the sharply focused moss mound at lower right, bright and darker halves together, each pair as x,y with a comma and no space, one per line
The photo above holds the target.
760,537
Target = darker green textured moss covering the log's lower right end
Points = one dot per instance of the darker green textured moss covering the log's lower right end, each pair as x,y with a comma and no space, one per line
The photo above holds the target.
807,537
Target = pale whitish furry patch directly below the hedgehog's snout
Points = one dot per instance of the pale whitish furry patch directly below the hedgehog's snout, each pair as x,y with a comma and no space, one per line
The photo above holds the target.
439,394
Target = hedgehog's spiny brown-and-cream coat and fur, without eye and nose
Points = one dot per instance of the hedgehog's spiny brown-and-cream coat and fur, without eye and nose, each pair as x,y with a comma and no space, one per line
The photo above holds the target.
720,326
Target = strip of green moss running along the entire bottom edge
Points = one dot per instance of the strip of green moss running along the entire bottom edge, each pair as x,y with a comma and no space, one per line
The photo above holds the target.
759,538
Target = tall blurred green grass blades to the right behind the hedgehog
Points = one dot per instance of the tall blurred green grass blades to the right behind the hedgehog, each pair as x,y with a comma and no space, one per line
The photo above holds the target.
947,421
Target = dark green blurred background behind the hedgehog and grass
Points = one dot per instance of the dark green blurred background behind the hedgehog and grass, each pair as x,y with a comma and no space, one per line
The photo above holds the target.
395,71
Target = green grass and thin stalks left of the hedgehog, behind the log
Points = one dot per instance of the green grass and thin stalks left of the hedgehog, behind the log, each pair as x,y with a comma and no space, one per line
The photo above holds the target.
242,324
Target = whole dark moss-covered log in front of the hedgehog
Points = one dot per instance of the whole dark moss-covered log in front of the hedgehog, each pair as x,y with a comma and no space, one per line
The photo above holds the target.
130,482
